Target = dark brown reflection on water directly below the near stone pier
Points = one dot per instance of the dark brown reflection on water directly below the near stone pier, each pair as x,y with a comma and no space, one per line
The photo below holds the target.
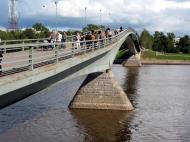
101,126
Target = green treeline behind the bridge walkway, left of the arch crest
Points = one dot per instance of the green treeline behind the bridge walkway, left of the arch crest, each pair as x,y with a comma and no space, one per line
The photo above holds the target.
38,30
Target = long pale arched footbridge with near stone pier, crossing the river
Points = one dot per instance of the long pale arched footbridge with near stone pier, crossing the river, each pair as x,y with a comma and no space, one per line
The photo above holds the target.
29,67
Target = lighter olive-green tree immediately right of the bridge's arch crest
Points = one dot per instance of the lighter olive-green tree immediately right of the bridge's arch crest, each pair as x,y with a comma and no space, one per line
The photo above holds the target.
146,39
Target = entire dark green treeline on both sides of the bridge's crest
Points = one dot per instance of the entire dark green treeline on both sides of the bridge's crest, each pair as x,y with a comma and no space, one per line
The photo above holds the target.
159,41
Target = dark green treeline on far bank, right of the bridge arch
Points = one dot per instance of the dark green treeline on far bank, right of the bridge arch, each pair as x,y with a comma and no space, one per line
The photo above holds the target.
167,43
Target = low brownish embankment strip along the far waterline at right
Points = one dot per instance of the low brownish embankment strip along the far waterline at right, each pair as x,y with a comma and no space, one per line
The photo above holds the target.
164,62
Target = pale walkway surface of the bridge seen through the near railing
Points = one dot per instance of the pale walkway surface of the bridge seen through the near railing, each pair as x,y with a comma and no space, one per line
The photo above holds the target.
47,57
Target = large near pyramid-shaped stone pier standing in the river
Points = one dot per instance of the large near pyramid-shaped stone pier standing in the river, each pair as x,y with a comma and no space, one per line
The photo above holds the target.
101,91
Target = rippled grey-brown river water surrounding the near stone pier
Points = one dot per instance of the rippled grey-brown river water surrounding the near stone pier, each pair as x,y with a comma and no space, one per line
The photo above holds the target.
160,95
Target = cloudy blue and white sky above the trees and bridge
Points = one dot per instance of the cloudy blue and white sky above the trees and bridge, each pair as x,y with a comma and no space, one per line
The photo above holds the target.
163,15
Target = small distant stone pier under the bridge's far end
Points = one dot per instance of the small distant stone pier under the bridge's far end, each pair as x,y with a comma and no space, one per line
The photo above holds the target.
133,61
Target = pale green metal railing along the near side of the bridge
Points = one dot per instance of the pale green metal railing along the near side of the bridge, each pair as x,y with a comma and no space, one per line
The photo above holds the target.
28,56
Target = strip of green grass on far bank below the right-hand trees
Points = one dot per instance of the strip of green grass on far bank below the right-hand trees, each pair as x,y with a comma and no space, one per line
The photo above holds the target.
166,56
